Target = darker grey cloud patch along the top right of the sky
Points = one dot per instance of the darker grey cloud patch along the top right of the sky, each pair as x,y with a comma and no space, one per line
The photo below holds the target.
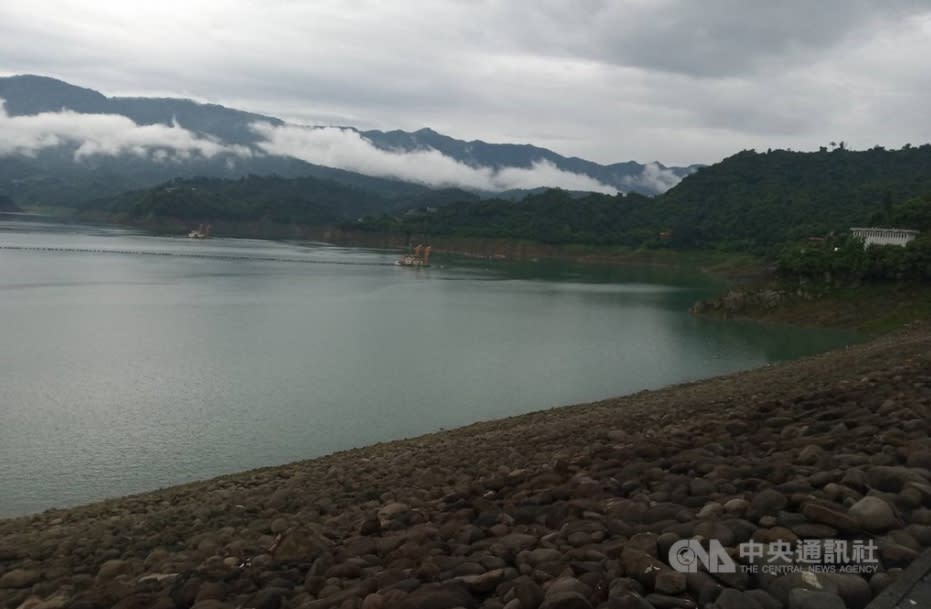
711,38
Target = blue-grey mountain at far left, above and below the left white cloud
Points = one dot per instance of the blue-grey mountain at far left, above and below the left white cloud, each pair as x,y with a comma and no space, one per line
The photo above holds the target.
53,176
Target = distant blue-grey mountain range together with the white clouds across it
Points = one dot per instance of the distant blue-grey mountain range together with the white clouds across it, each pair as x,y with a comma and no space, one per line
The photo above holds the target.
61,142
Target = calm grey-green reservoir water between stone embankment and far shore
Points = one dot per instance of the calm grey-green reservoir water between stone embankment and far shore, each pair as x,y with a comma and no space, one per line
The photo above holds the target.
130,362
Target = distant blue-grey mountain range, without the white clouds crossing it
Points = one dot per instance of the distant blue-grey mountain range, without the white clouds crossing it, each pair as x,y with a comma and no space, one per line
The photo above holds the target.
28,95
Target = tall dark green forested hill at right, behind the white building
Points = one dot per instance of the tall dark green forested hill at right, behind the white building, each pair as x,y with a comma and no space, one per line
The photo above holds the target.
755,199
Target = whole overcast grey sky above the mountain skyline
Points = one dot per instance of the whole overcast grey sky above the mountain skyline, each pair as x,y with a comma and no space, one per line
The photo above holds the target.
679,81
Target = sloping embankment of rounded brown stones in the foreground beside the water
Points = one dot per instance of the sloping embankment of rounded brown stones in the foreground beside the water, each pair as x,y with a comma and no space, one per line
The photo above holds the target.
573,508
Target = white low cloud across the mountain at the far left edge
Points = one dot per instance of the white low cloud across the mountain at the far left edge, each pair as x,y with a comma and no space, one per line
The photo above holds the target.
105,135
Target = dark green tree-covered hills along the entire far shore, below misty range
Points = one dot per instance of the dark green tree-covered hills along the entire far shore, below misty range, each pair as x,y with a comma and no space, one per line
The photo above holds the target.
750,202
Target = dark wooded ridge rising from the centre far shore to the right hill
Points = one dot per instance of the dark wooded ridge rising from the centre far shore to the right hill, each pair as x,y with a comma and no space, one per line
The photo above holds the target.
749,202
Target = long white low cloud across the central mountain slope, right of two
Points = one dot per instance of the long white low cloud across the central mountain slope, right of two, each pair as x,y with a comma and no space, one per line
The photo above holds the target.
347,149
